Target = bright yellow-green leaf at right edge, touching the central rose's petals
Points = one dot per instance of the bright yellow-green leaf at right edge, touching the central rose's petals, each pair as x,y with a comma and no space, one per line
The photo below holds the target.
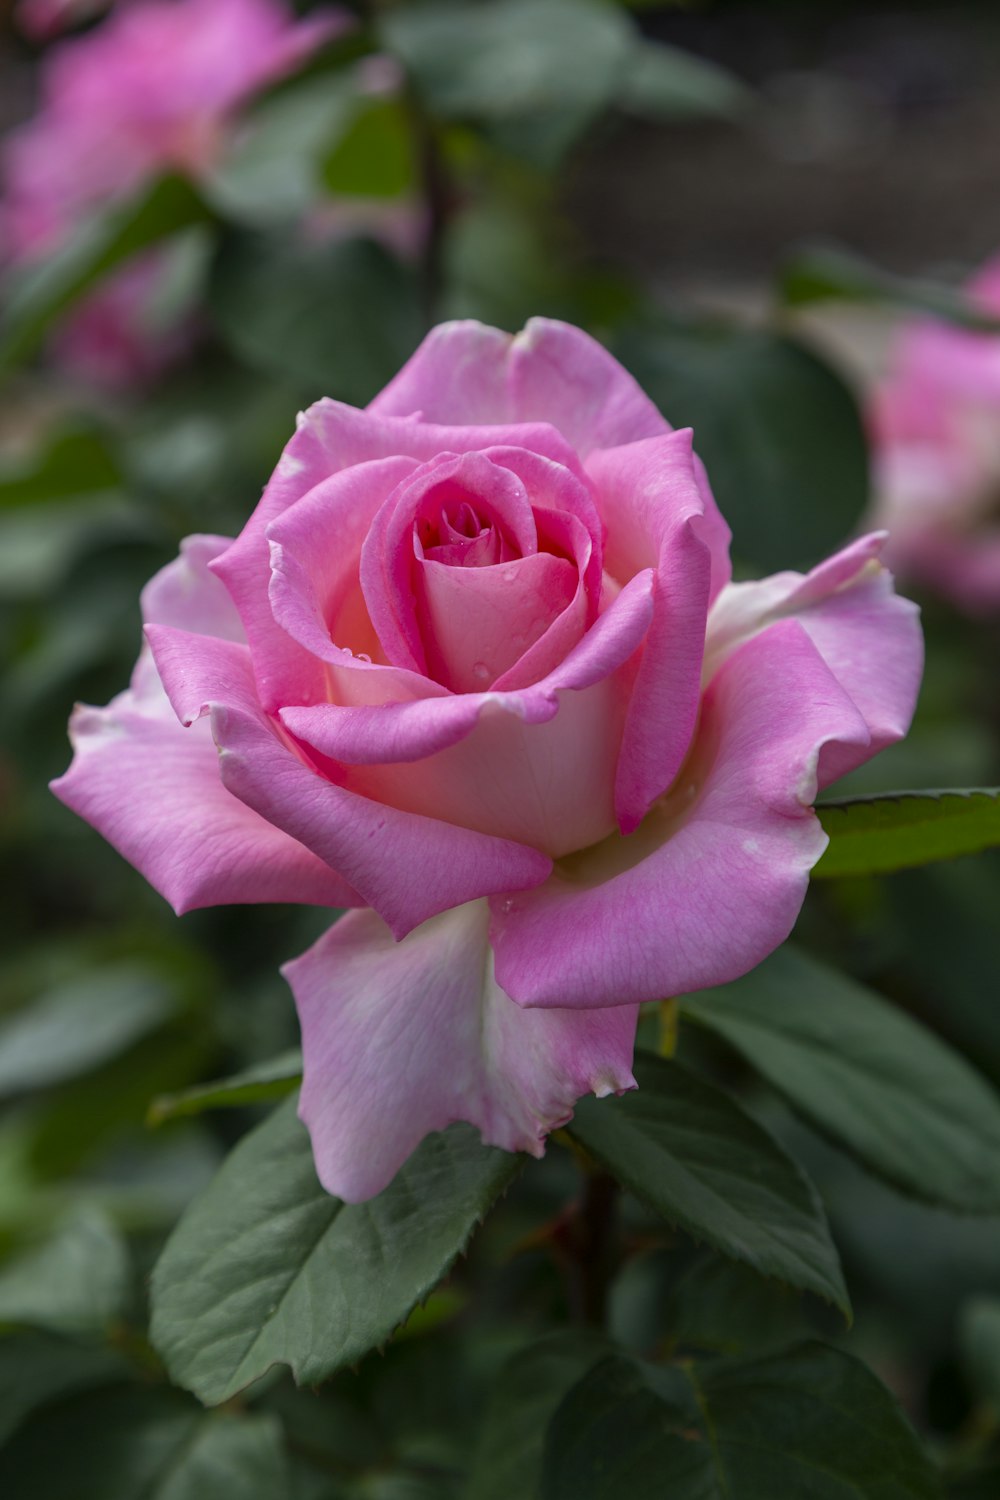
903,830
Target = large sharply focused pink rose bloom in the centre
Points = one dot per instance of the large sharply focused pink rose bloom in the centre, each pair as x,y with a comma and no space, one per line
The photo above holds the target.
476,668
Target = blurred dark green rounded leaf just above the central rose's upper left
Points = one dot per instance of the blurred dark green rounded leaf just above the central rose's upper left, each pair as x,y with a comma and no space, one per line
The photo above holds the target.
340,317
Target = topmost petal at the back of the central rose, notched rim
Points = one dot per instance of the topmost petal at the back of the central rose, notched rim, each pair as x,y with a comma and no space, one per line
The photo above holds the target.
467,373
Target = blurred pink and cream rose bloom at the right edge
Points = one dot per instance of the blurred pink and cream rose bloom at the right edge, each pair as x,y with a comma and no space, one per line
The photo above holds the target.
936,434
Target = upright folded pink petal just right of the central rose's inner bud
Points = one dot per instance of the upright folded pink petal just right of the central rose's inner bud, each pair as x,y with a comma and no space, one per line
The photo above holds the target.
654,508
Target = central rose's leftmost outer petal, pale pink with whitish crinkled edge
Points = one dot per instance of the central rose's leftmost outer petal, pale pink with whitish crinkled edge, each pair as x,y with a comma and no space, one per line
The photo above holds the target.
154,790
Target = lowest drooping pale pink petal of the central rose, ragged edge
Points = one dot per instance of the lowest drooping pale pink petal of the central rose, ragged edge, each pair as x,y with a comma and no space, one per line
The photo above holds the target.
404,1039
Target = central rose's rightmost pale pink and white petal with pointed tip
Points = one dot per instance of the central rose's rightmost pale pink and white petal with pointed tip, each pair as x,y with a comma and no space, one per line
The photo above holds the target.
869,637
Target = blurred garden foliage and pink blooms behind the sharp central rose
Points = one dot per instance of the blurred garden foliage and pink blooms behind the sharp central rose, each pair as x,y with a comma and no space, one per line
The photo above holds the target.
764,211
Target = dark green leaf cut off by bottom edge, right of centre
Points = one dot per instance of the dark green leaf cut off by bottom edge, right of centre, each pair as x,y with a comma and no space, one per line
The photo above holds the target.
804,1423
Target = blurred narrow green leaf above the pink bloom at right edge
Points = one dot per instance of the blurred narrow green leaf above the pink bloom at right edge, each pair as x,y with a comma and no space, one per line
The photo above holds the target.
824,274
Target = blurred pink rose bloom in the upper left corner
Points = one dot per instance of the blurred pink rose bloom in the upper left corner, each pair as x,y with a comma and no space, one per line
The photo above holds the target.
154,89
